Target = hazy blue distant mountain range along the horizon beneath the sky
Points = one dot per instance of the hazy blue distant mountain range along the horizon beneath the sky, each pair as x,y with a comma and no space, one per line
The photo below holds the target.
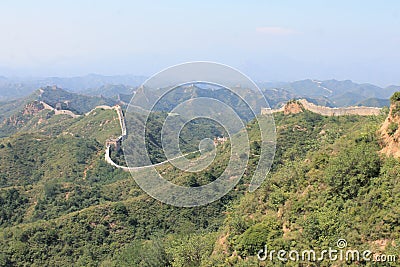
332,93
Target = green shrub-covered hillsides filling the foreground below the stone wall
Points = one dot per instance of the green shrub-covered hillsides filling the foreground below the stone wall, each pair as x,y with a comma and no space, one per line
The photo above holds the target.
62,204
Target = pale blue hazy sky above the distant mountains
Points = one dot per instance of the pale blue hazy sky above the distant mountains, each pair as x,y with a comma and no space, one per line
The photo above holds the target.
268,40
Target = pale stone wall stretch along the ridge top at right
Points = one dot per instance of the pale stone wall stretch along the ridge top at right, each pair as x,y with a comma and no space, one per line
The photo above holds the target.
326,111
